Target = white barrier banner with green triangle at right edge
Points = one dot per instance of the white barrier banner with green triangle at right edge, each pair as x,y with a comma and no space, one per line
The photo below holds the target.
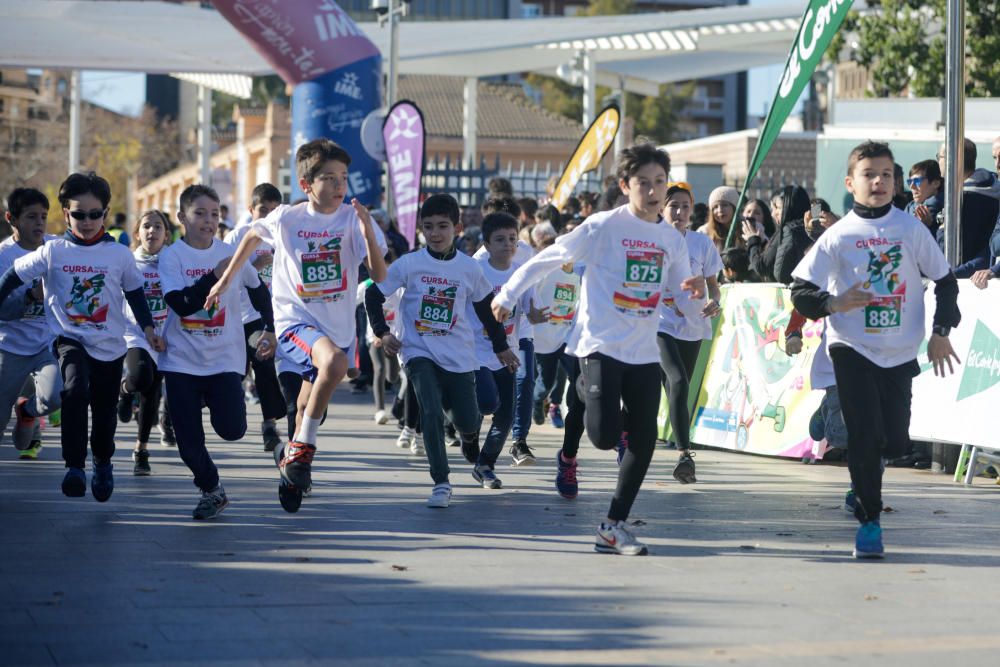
959,408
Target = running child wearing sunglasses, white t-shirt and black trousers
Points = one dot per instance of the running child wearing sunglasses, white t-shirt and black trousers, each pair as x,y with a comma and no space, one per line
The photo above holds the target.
87,275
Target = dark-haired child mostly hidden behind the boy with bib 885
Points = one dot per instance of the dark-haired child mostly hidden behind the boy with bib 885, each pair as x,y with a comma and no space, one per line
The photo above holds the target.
264,199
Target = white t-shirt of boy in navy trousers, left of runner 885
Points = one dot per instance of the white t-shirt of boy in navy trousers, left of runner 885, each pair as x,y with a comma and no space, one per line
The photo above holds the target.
205,342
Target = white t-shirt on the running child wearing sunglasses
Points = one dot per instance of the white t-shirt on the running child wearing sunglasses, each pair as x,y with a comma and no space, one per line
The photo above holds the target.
84,291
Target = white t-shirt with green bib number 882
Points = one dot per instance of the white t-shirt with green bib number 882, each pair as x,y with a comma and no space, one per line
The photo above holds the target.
887,256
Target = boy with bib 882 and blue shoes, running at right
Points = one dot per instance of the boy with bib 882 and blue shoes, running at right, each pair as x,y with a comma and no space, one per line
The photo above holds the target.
864,274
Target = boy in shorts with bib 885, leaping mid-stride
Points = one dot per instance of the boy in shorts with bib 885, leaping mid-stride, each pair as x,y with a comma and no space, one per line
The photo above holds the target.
318,247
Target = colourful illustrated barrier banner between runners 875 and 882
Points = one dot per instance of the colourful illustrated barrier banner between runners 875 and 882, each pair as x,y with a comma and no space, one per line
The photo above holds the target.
754,397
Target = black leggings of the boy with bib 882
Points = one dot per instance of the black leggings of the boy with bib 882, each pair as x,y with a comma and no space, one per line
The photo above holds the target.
875,402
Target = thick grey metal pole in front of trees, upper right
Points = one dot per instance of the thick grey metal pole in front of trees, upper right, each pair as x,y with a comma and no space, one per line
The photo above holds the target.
955,130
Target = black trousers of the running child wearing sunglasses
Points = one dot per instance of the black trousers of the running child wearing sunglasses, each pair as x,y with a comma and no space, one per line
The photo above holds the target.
87,383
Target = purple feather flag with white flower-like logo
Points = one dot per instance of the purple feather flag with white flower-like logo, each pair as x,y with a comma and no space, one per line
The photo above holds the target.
403,132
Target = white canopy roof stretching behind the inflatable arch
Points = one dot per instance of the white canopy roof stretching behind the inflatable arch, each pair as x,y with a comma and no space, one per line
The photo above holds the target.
636,52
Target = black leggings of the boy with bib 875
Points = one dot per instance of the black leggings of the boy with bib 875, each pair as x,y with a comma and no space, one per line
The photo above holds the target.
609,383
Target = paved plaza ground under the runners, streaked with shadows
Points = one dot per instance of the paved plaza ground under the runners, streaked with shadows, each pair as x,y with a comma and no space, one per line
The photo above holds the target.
751,566
